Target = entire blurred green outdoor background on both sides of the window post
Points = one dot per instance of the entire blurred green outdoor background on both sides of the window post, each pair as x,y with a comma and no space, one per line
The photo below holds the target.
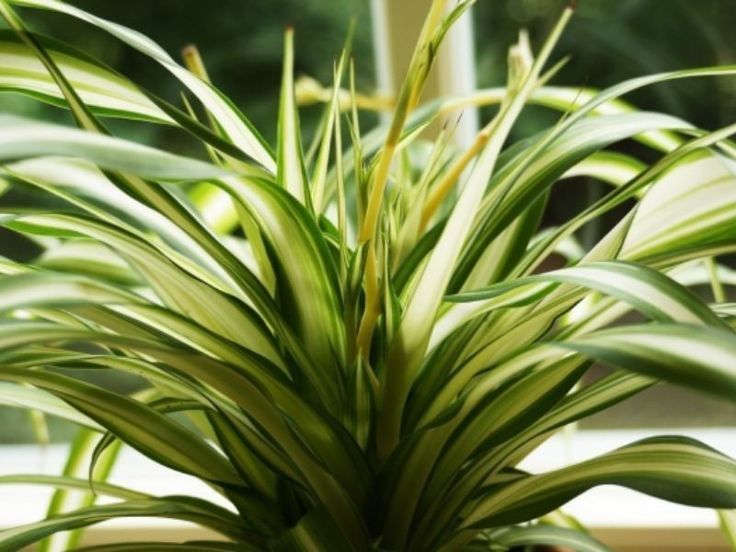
241,44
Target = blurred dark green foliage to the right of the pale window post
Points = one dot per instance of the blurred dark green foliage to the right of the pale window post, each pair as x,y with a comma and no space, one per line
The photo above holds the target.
614,40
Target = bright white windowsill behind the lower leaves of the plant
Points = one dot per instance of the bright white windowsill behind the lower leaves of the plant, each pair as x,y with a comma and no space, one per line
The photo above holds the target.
609,511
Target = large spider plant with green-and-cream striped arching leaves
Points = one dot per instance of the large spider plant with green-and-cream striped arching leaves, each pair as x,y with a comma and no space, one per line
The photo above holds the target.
360,338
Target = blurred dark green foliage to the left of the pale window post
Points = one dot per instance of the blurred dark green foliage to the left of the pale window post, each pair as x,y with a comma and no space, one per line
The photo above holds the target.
240,42
